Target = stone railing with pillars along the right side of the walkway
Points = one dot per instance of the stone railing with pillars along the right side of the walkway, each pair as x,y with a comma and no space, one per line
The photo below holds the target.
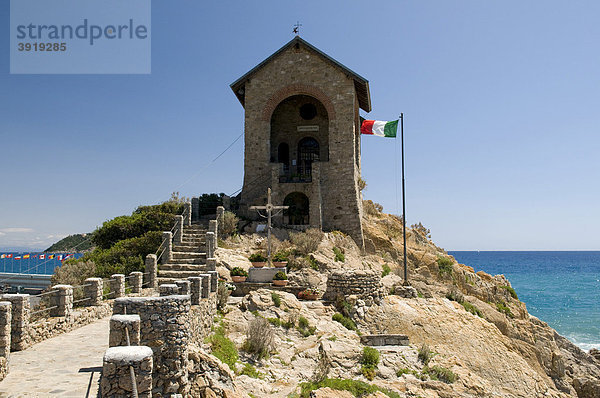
163,326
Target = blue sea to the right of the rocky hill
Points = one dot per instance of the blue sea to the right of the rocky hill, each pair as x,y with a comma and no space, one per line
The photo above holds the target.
561,288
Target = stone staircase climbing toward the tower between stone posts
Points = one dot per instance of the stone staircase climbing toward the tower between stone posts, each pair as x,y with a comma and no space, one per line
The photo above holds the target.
188,256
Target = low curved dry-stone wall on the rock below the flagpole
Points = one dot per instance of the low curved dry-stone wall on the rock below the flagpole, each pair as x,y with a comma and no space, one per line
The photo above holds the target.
364,285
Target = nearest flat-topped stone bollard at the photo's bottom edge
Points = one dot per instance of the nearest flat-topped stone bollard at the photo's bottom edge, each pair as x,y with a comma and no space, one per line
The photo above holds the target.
116,376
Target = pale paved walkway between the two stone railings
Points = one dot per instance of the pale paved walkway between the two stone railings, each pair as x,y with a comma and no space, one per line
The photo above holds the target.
68,365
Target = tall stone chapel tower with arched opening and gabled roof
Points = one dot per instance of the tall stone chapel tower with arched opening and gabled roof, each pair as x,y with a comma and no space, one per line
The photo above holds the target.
302,138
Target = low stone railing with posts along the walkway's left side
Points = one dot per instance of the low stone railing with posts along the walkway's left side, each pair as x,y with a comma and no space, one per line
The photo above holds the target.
21,327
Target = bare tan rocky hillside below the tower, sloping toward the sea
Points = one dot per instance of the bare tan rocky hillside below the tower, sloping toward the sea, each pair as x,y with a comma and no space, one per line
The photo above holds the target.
469,334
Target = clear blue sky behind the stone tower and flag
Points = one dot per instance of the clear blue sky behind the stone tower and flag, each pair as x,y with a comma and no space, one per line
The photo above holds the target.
500,100
